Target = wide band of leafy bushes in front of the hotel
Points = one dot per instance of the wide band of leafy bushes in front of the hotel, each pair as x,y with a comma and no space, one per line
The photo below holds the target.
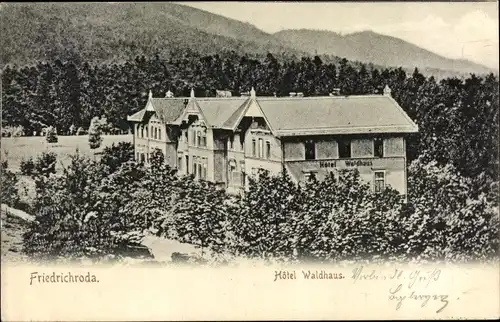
90,211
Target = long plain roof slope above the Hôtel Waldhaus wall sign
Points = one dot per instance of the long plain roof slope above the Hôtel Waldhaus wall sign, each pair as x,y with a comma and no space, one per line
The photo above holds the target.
335,115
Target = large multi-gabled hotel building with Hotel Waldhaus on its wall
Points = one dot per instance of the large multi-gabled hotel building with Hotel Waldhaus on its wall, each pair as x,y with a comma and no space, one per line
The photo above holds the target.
226,139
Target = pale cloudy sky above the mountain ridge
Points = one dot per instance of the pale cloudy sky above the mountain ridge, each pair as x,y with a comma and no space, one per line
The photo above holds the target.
467,30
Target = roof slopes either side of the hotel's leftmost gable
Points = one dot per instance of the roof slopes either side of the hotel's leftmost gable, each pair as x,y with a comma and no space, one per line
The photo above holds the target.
167,109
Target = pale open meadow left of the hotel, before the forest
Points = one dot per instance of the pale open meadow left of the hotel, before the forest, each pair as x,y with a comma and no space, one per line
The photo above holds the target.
14,149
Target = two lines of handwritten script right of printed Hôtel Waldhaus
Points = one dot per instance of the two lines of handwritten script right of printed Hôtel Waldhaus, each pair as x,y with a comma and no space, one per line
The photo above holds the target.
407,285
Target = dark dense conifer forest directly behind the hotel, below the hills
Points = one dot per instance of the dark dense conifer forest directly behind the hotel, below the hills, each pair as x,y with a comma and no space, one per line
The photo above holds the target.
457,118
